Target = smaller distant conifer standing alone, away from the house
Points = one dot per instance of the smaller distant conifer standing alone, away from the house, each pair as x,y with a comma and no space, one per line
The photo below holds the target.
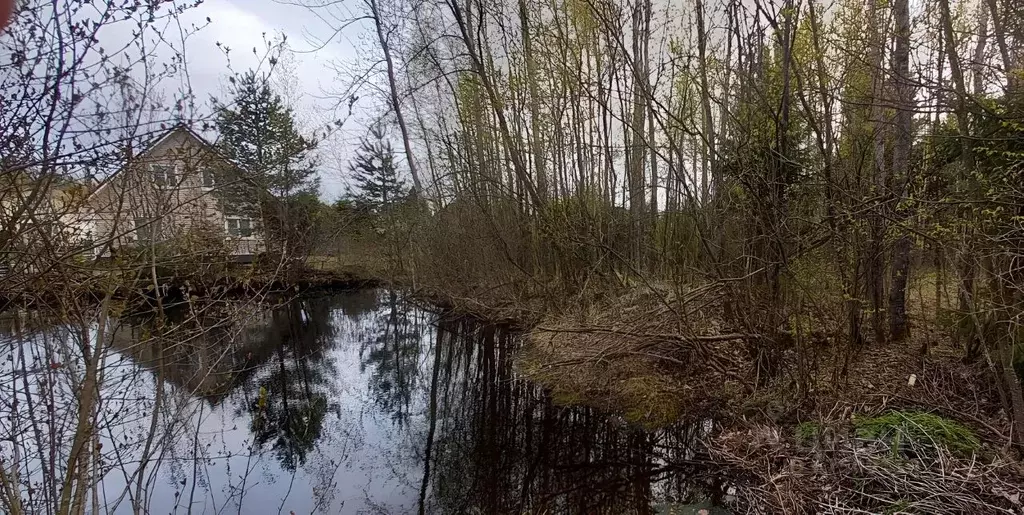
376,183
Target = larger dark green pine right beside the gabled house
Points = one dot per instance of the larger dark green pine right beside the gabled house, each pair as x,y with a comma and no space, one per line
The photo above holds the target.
275,169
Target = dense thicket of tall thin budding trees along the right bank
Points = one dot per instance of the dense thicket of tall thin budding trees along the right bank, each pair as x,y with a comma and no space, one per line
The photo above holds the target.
803,160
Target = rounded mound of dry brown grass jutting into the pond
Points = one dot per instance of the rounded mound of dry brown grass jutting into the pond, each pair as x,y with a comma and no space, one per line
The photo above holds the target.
634,357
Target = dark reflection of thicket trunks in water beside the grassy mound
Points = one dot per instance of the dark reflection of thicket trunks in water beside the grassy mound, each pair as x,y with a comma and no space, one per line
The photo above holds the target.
500,445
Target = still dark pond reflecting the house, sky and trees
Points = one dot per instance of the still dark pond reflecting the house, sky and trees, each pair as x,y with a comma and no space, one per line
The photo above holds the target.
351,403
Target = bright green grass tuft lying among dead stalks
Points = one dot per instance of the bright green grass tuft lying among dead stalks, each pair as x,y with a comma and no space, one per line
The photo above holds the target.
918,430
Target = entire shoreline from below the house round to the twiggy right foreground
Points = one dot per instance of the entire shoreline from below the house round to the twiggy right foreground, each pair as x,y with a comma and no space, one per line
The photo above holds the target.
783,449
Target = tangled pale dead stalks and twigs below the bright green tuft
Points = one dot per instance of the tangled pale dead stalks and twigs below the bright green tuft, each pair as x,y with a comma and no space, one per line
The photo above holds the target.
846,476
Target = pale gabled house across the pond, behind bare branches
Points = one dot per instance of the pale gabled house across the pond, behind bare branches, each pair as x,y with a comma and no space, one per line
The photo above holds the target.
170,194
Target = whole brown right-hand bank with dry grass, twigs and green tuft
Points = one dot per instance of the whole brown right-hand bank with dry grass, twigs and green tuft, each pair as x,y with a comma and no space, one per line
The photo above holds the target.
906,427
